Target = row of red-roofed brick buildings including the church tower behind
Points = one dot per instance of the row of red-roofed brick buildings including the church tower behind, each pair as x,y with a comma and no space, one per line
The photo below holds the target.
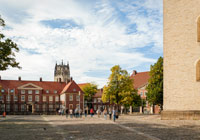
46,97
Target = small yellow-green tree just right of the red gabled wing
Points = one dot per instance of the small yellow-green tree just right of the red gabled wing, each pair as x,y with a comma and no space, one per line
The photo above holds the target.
89,91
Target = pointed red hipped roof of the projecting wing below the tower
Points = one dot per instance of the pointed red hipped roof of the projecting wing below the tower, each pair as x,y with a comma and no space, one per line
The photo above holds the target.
69,88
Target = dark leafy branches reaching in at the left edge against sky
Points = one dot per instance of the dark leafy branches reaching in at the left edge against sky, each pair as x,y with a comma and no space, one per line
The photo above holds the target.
7,49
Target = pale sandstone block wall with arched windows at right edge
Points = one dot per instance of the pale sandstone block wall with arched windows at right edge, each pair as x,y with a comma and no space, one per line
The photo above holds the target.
181,59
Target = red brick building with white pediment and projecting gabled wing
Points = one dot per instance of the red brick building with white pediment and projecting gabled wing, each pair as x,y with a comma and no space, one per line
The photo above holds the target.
24,97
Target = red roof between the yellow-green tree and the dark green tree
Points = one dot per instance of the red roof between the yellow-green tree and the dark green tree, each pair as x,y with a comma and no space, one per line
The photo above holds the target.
140,79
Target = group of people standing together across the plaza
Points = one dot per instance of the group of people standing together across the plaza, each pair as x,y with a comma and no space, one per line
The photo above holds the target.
76,113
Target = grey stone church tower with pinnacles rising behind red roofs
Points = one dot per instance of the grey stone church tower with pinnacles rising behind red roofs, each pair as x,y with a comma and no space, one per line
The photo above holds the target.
62,73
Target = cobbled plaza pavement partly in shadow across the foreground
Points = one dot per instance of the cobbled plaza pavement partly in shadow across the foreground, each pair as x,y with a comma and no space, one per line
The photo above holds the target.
135,127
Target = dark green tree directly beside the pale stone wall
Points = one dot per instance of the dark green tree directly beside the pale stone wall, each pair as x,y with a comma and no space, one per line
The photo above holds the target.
155,85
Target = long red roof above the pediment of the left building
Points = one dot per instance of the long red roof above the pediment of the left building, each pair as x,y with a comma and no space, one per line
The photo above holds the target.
45,85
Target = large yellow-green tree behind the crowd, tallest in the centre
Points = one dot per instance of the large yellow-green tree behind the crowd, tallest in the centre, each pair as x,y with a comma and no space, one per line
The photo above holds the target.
119,89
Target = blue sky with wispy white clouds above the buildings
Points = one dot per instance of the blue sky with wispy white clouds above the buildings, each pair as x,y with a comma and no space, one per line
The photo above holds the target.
92,35
